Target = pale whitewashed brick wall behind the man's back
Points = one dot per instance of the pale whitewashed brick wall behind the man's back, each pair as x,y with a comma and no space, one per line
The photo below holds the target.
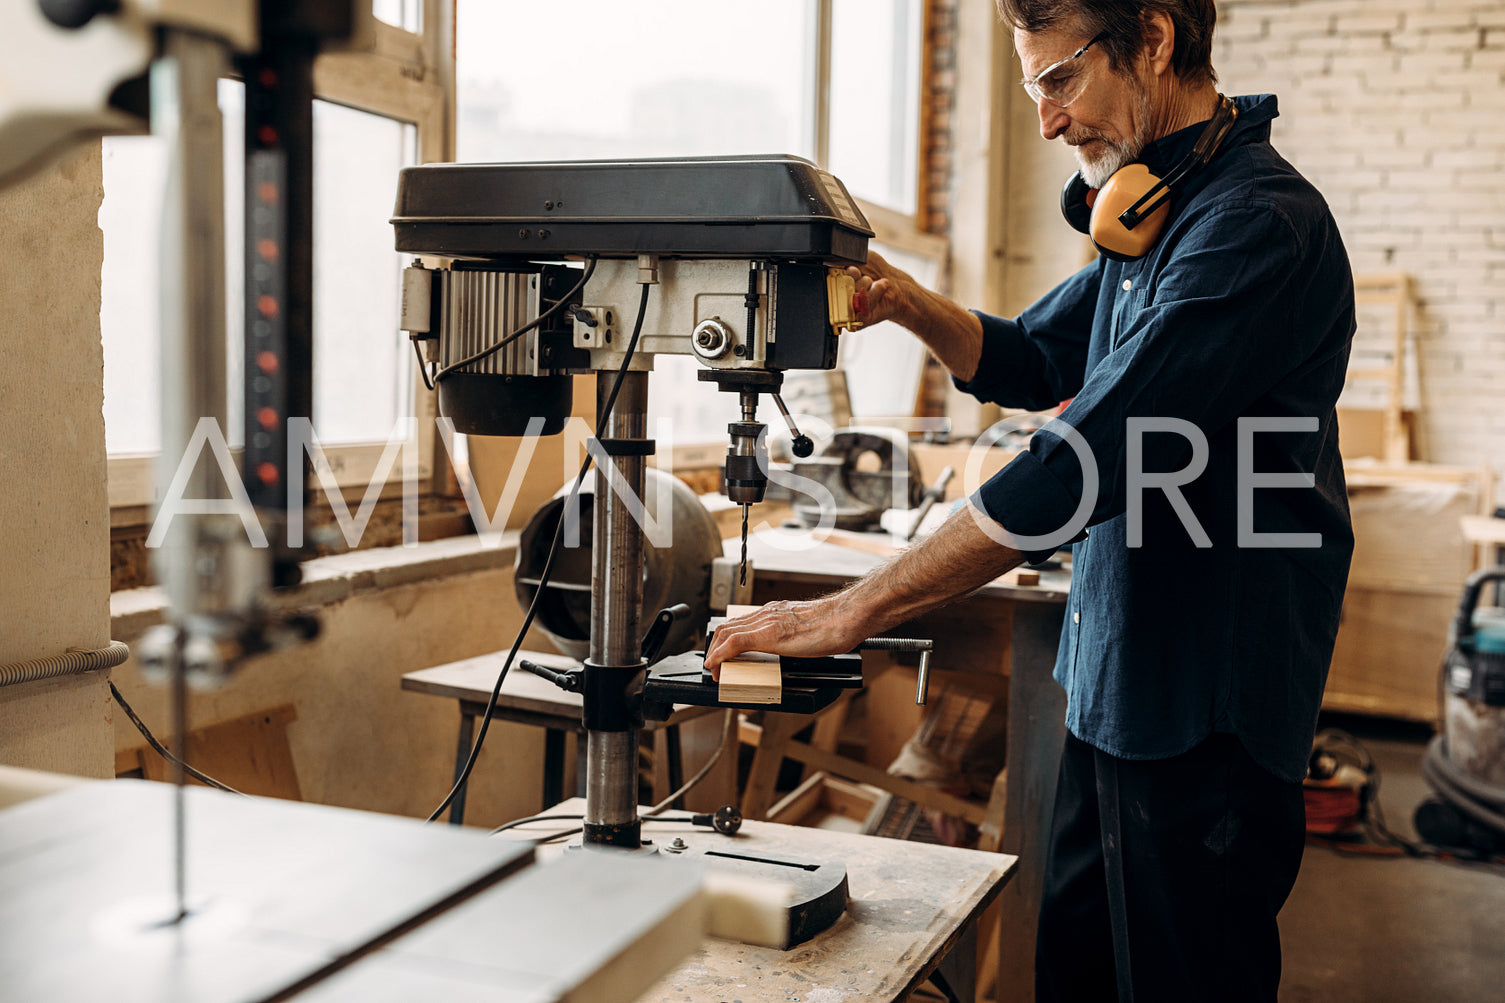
1396,111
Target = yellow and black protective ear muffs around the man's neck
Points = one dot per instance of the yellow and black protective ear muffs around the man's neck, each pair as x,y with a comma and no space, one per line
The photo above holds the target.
1125,218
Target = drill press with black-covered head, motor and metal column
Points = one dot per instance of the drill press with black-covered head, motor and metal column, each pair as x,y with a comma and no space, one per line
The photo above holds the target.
746,261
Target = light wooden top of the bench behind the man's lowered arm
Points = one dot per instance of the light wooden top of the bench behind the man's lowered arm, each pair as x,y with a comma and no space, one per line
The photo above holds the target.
794,556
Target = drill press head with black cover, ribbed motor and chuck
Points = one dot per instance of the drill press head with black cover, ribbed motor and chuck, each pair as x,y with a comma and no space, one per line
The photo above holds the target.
747,254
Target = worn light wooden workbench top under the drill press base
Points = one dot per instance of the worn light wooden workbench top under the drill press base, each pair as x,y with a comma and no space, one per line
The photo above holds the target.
913,910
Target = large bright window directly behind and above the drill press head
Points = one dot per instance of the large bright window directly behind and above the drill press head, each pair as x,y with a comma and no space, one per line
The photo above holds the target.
832,81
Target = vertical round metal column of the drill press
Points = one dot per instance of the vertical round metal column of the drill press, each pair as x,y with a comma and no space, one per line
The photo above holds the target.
616,612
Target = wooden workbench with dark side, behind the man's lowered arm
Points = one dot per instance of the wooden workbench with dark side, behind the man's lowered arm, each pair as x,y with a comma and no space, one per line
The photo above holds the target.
1006,633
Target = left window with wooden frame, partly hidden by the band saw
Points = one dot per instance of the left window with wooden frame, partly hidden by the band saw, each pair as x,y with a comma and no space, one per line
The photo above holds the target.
379,111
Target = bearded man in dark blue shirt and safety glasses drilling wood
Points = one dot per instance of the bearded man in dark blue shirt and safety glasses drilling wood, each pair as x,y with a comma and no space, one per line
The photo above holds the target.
1203,611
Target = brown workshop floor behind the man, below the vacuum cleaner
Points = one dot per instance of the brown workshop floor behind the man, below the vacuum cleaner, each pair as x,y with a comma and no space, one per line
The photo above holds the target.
1393,930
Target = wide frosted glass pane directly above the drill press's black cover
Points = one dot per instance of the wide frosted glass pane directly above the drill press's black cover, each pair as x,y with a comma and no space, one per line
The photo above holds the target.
600,79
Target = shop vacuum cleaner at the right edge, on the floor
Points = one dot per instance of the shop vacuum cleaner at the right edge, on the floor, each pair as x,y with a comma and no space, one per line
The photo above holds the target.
1465,766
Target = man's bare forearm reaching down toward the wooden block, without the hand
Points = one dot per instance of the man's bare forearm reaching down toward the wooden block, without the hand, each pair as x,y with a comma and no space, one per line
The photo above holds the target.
955,561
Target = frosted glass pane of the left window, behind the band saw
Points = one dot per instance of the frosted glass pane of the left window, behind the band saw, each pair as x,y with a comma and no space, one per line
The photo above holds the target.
363,376
